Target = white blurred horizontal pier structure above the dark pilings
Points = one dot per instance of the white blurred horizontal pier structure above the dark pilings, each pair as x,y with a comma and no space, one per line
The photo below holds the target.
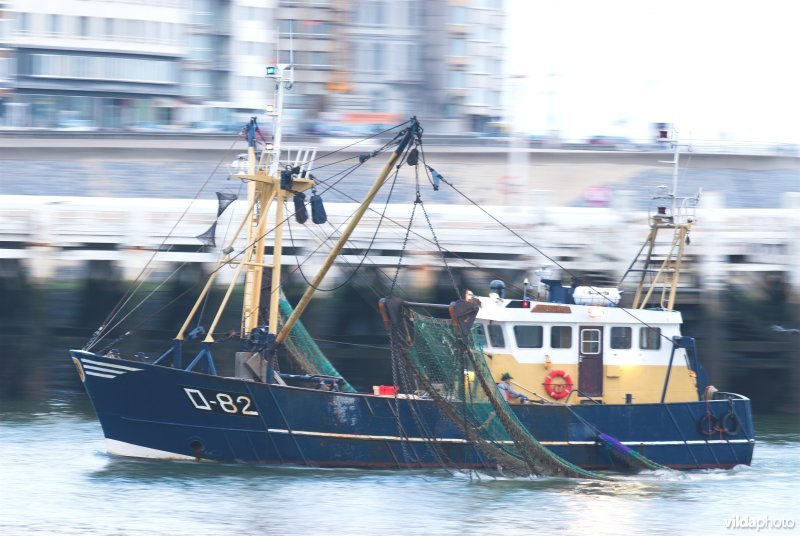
55,237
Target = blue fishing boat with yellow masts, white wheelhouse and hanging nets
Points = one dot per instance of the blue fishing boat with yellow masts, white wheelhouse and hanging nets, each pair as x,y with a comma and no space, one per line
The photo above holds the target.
589,384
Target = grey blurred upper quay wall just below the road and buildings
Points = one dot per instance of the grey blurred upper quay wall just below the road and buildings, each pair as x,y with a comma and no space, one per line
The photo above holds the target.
485,171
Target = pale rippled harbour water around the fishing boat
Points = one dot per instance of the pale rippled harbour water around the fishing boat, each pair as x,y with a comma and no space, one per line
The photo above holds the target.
55,478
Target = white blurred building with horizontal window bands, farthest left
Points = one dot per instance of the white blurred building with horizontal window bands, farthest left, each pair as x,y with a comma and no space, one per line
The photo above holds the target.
82,64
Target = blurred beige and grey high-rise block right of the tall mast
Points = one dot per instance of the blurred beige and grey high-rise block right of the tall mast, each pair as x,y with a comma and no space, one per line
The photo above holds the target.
439,59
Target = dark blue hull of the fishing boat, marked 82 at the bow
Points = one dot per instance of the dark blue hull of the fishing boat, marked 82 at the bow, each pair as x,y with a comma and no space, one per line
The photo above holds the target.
155,411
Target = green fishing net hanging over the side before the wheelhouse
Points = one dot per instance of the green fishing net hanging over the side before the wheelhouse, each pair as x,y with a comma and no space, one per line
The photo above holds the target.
446,362
